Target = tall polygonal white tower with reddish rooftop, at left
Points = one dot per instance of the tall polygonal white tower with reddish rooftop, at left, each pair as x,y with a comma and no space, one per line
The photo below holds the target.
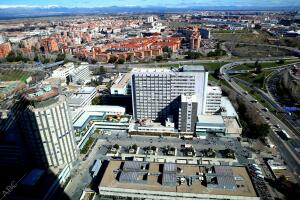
47,127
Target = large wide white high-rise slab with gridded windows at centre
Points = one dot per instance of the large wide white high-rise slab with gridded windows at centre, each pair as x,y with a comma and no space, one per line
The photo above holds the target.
156,91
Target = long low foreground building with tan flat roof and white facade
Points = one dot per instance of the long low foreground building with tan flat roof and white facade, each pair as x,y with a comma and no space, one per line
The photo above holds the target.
132,179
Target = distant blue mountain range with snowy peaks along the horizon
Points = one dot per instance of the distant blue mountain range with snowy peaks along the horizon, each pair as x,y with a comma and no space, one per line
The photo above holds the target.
53,10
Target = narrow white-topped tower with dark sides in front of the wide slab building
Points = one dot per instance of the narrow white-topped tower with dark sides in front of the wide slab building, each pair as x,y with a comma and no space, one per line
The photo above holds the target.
188,113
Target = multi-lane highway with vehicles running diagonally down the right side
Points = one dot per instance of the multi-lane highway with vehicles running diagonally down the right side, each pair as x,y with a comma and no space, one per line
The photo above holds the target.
288,154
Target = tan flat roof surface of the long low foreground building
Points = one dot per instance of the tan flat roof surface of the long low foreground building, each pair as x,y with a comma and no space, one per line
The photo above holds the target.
150,178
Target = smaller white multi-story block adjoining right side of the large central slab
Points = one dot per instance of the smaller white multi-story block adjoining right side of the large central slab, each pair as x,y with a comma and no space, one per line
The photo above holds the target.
213,99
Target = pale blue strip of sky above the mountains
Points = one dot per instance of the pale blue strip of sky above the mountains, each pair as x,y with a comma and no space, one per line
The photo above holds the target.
146,3
